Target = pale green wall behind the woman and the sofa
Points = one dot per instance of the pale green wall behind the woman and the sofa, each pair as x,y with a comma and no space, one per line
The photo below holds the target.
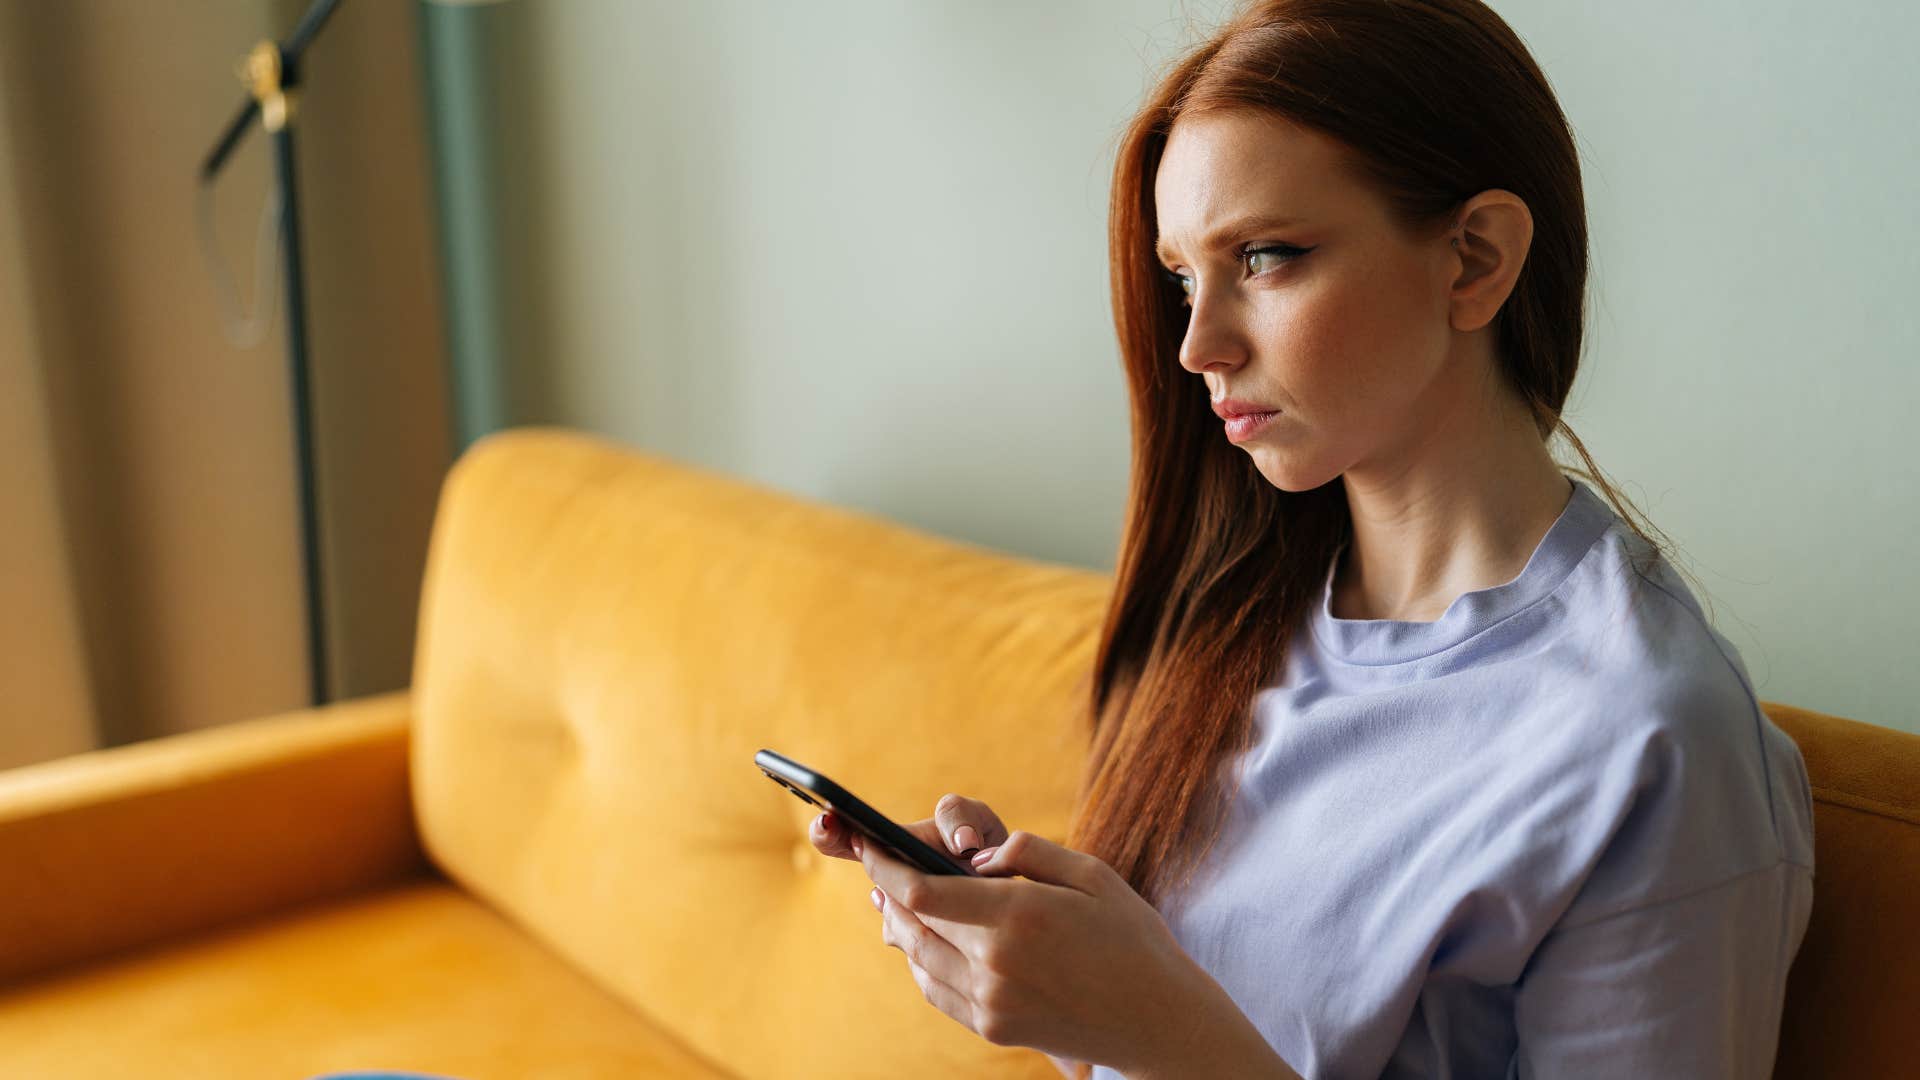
857,251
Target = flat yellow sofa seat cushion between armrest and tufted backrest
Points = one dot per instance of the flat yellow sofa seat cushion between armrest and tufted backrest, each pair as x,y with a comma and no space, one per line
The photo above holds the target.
418,977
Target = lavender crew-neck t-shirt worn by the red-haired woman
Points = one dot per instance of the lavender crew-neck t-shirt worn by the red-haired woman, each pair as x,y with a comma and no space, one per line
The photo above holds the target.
1547,835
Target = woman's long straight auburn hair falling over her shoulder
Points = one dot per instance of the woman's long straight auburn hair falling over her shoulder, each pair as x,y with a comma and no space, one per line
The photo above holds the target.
1435,103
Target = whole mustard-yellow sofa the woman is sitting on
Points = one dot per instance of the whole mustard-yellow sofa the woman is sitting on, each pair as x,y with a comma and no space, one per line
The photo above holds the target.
552,856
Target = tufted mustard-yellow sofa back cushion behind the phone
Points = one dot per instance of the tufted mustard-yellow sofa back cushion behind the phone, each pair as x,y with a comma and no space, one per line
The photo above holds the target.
608,639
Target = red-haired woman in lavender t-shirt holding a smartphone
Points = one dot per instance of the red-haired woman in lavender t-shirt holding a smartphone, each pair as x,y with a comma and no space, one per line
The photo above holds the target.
1410,756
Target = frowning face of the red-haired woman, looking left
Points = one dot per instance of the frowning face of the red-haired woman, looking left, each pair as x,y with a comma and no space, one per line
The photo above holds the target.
1305,299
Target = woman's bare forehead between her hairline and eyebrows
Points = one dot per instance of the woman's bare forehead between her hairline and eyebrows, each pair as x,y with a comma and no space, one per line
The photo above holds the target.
1234,164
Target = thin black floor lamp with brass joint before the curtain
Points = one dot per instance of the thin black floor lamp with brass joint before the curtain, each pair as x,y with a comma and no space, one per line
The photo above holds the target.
274,78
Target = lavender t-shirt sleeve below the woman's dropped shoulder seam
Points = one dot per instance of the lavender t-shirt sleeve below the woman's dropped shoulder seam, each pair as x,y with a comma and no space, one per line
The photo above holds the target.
1691,987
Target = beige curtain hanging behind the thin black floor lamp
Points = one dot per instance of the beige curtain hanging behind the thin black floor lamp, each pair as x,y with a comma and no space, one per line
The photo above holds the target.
149,512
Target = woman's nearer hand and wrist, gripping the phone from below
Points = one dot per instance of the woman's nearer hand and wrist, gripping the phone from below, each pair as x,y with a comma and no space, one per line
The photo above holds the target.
1067,958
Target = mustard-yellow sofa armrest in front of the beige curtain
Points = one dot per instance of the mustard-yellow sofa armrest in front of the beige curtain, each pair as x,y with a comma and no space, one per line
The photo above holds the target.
135,845
